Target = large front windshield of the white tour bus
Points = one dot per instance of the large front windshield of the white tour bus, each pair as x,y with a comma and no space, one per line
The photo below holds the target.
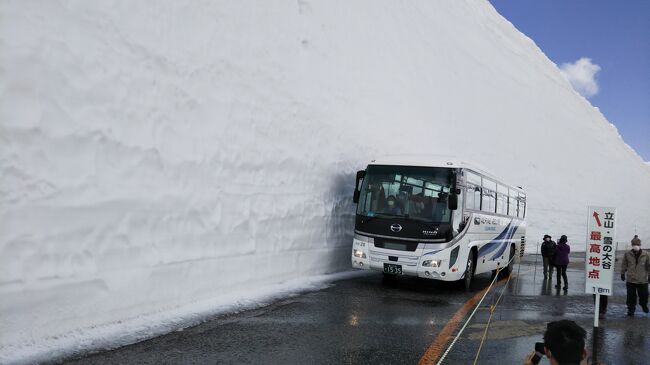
418,193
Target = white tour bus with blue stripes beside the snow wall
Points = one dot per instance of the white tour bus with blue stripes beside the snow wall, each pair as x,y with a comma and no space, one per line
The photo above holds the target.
436,219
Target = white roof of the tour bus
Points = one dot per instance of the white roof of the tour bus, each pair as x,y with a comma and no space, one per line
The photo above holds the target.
436,161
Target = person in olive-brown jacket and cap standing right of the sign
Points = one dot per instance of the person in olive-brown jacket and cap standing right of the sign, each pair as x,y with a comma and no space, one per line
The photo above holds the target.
636,264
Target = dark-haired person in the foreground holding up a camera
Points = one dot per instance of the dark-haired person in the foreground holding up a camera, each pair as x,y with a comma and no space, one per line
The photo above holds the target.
564,344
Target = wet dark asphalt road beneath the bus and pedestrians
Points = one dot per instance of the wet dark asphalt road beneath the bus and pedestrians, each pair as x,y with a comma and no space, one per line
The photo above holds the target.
369,320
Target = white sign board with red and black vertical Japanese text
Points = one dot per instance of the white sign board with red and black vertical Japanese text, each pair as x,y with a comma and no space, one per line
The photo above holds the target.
601,250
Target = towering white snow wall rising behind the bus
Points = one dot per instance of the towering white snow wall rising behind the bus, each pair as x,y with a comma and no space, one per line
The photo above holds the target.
157,156
